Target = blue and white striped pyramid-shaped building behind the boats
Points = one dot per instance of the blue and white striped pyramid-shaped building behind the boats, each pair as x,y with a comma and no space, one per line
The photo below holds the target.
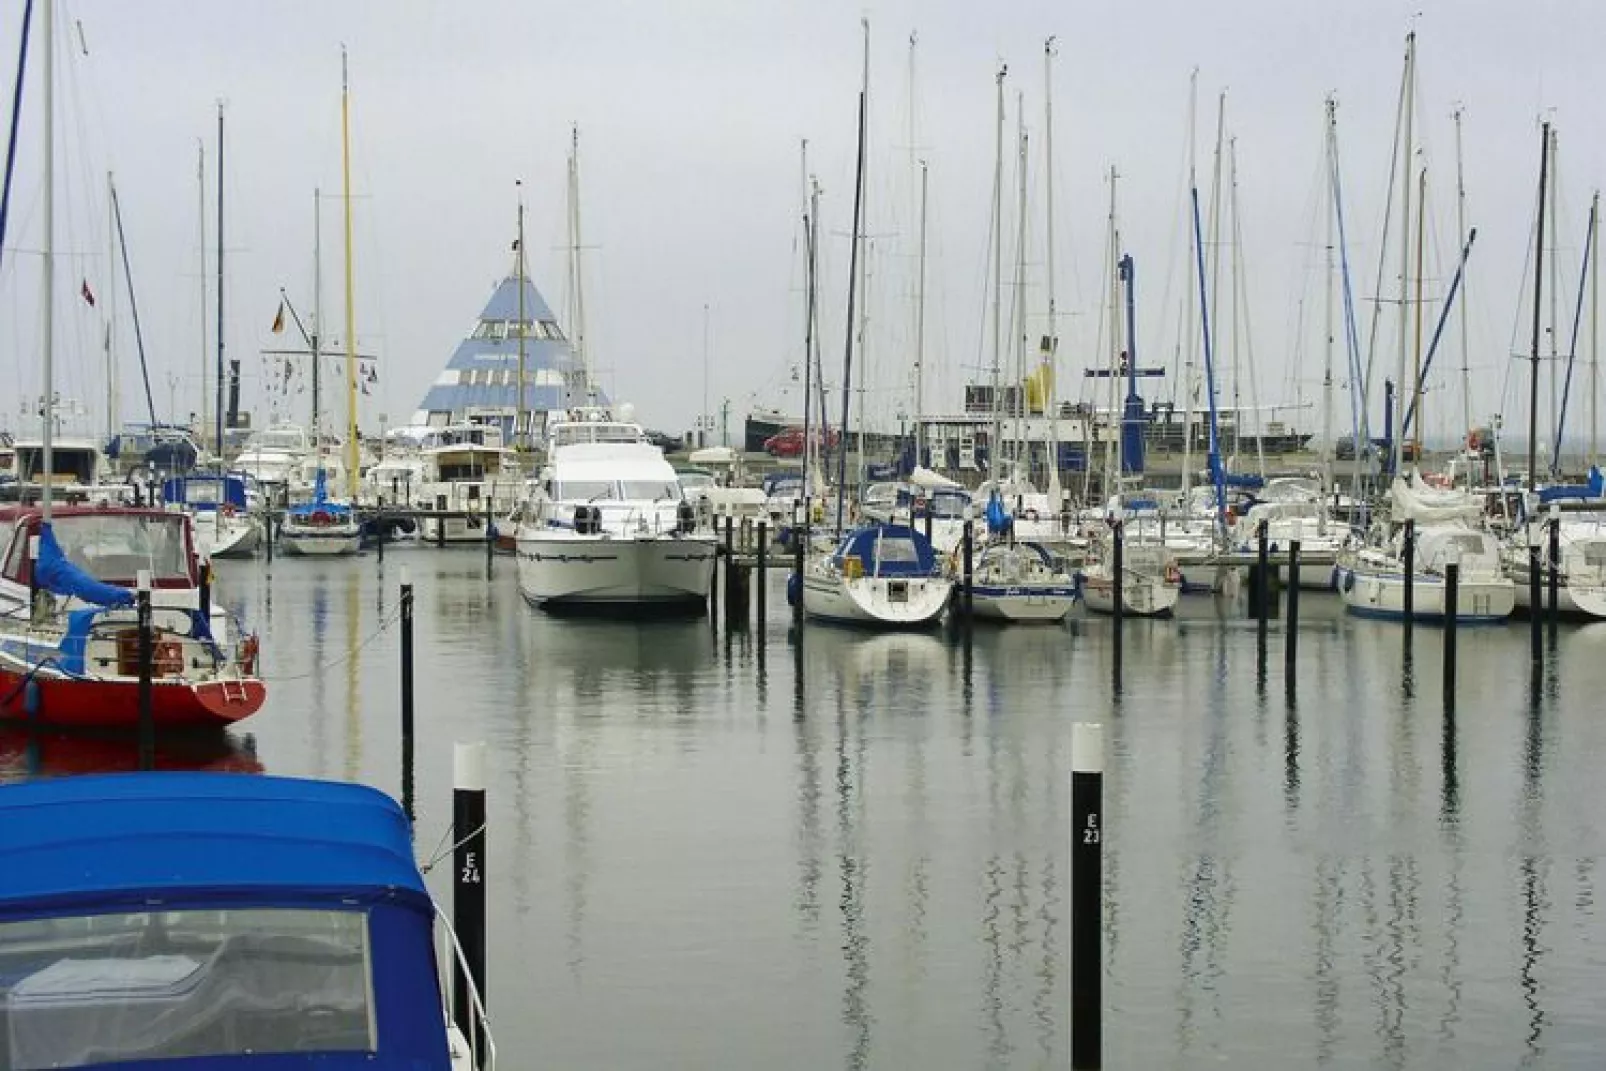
481,381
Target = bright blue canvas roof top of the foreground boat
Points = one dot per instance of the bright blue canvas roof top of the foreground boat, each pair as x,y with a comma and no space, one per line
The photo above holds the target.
126,839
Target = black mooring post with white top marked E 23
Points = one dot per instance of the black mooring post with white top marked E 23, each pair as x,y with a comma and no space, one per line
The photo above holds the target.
1086,895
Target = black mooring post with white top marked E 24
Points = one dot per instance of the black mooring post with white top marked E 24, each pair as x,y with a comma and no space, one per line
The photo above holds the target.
468,887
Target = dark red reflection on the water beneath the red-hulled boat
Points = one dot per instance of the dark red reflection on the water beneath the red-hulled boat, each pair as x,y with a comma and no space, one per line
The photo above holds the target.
28,754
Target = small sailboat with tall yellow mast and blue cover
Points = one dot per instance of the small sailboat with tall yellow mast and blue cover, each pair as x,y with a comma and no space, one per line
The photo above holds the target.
325,526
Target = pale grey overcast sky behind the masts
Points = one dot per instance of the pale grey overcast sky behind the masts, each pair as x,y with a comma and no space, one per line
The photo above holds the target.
691,118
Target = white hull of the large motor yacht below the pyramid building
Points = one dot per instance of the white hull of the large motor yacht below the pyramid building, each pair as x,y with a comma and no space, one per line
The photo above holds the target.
565,569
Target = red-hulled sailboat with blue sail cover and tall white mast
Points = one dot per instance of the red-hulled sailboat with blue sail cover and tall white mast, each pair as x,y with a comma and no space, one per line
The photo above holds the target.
70,638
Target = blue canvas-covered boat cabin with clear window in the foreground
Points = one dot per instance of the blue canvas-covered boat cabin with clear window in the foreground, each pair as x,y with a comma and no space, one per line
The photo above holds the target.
214,921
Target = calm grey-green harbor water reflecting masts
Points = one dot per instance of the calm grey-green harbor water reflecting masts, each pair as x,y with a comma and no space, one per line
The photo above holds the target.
715,850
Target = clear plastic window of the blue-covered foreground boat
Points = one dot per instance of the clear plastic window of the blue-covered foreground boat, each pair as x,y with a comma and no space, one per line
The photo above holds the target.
185,985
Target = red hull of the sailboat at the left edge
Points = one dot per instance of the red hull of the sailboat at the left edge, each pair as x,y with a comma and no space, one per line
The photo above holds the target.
116,704
